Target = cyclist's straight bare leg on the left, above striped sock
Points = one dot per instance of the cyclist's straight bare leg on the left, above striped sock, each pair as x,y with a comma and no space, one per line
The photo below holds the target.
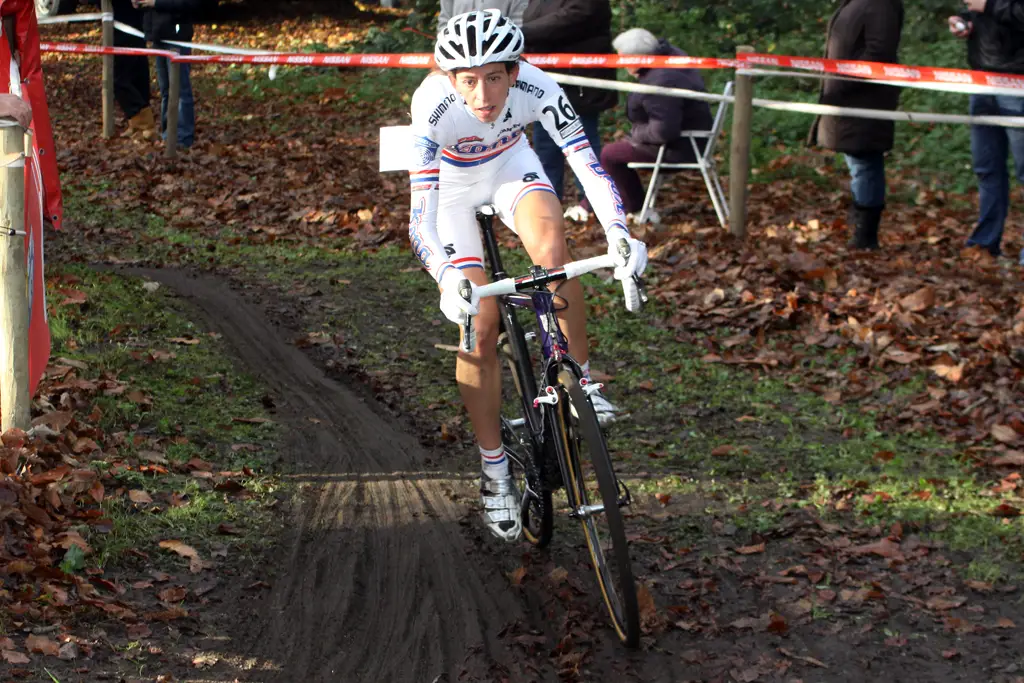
479,373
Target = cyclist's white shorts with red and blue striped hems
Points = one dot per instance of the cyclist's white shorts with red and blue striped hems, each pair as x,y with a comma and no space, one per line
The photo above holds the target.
520,175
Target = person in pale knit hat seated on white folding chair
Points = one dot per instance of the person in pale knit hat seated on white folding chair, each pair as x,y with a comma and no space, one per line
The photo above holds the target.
656,120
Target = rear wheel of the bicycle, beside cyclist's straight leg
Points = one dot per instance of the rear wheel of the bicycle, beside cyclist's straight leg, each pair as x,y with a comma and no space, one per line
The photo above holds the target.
538,517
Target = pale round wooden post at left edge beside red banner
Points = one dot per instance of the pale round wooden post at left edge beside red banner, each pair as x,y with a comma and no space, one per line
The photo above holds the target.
15,397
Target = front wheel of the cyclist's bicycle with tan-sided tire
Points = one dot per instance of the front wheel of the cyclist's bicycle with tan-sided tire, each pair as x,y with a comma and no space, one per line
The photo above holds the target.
622,600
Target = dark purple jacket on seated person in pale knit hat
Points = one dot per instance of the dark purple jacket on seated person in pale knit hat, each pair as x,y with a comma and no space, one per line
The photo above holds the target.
659,120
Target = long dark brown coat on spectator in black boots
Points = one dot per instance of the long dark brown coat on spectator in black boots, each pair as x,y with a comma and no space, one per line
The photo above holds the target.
865,31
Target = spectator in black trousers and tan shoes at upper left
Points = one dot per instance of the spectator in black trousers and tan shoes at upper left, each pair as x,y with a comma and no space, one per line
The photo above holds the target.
132,74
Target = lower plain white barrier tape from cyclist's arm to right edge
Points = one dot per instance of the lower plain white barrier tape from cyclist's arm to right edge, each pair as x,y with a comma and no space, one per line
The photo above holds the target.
801,108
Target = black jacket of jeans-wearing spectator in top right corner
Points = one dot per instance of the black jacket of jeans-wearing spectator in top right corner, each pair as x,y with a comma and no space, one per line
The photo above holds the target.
997,42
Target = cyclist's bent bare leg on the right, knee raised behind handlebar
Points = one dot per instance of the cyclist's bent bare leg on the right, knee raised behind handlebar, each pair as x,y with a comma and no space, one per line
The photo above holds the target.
539,223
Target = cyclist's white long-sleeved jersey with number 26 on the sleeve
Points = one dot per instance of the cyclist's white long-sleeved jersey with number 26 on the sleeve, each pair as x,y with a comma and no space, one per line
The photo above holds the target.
454,148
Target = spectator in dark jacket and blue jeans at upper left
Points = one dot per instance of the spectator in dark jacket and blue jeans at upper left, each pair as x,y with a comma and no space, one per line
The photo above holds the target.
173,20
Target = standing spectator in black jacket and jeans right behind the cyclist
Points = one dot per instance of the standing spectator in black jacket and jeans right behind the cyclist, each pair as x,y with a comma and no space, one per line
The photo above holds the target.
557,26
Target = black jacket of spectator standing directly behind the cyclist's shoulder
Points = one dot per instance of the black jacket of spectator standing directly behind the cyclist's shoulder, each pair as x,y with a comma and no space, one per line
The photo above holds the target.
580,27
